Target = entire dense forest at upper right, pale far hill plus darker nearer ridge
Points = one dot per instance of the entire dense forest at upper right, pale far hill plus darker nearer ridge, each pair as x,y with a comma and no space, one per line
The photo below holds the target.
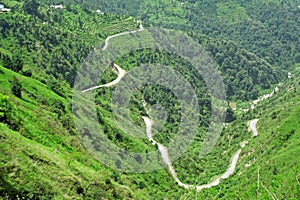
236,27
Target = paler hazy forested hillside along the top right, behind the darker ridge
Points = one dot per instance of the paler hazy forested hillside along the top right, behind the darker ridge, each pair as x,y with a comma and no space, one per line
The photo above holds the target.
267,28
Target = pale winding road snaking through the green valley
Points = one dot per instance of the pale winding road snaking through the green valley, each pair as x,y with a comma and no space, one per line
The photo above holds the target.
163,150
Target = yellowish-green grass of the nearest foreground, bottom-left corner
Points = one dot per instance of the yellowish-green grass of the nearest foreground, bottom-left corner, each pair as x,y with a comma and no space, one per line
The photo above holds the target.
35,167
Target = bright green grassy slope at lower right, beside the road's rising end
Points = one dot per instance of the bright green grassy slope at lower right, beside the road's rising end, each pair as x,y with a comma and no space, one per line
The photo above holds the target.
274,154
